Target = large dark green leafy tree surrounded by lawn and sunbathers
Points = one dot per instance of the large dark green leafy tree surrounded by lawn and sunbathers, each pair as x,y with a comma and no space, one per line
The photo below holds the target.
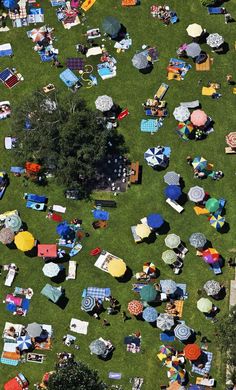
64,136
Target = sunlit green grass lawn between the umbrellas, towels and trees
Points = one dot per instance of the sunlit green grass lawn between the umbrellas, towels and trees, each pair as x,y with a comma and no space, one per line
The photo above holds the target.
129,89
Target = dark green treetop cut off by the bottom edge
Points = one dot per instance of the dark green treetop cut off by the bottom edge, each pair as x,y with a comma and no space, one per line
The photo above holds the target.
76,376
